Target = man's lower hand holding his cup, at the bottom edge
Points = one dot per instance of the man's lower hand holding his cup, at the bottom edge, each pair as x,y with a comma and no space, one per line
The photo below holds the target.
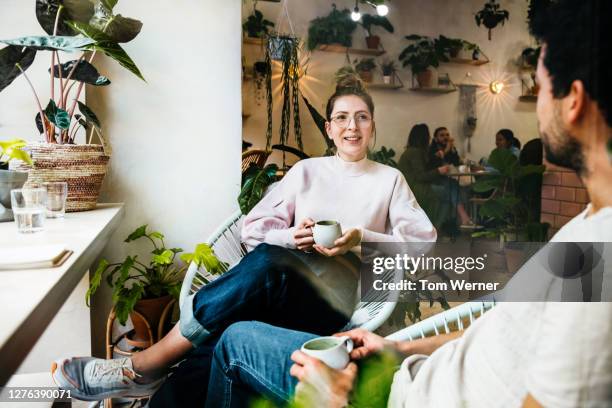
320,385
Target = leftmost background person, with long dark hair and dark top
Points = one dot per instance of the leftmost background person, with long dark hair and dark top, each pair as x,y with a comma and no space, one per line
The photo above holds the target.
430,186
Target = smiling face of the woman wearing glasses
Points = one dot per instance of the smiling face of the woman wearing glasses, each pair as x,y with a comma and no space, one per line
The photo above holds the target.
351,127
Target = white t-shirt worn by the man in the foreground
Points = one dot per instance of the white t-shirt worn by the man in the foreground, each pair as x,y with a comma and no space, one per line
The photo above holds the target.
560,353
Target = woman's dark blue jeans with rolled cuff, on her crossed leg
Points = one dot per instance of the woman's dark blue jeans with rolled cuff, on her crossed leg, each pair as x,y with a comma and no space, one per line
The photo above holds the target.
283,287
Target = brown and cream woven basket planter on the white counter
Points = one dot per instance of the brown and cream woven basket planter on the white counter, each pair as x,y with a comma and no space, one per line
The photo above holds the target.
83,167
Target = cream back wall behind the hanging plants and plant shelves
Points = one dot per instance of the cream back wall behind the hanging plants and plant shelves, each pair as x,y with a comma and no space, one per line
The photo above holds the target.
397,111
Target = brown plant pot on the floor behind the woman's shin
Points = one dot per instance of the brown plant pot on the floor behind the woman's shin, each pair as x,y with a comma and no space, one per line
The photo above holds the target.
148,318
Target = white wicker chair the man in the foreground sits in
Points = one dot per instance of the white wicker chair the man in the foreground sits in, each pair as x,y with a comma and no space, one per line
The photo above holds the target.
457,318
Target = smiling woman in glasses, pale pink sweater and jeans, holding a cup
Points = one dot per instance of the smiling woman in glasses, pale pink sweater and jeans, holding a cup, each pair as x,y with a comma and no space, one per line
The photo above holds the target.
286,280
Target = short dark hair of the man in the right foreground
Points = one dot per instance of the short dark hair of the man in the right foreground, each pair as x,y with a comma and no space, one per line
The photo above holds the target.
577,47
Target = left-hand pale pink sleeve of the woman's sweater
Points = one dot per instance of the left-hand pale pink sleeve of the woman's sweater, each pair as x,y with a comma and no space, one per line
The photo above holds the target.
271,220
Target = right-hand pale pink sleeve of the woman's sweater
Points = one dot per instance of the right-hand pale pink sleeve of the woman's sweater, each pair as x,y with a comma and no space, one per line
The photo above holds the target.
408,221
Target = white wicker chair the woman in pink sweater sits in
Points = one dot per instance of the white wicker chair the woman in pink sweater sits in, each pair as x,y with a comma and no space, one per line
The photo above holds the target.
374,309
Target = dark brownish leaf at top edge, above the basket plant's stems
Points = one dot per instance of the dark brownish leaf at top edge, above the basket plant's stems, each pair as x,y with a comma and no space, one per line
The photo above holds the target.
76,10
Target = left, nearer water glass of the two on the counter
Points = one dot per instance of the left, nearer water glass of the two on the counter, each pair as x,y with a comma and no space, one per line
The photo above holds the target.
29,206
